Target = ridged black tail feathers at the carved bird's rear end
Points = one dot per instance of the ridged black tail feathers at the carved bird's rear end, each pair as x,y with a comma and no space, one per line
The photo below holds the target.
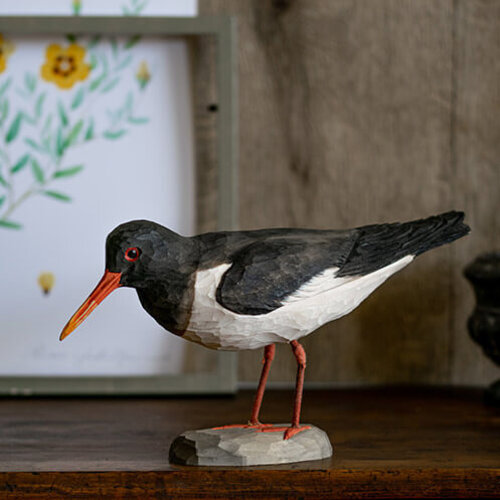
381,244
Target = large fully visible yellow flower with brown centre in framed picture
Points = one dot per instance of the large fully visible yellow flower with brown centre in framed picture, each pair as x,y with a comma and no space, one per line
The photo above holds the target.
65,66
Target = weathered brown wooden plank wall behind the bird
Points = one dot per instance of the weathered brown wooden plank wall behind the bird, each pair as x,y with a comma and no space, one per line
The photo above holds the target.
363,111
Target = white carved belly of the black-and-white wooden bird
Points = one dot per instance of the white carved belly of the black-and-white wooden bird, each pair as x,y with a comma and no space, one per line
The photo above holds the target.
322,299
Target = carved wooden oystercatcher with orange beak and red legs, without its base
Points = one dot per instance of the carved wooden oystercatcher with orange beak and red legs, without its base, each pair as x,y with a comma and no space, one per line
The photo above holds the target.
251,289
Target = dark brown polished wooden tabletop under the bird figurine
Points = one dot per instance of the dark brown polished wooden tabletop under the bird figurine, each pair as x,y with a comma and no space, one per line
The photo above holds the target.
388,443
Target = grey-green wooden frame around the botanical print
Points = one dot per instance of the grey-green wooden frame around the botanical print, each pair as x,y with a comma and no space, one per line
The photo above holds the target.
222,31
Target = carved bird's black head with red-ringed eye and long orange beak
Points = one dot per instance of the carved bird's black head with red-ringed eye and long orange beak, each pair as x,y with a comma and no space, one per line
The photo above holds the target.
138,253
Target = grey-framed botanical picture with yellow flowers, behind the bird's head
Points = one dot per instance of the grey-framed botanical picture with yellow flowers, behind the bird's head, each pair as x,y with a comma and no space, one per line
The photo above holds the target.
97,127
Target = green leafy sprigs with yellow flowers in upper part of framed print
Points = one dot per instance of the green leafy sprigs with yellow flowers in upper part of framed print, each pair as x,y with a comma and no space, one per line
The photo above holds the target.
69,105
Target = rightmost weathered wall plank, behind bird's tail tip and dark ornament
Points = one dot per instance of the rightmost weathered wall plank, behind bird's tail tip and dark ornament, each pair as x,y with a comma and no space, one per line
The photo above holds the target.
476,143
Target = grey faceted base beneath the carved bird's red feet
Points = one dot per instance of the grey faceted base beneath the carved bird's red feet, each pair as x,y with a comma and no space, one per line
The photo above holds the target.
240,447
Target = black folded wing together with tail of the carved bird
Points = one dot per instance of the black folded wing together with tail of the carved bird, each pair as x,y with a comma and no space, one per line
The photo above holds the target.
266,272
